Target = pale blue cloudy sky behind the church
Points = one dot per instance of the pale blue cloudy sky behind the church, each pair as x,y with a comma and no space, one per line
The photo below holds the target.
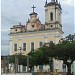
15,11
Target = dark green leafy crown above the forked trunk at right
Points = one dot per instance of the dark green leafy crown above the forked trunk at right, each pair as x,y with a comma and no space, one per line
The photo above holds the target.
66,50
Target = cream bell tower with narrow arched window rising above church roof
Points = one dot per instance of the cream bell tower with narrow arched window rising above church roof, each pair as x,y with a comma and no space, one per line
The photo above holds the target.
53,12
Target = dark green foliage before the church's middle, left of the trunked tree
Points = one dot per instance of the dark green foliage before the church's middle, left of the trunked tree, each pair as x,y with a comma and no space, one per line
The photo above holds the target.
41,55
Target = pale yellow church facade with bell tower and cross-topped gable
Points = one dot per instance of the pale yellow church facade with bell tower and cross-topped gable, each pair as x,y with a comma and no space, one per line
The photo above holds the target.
25,38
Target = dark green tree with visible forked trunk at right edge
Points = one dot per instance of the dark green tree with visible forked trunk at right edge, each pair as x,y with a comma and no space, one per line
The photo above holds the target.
66,52
